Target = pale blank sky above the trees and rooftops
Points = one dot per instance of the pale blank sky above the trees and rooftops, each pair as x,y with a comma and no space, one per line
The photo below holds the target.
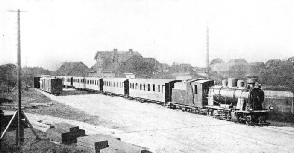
56,31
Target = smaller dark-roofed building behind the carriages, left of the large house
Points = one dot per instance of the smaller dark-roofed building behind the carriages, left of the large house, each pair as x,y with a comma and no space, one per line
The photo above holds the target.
73,69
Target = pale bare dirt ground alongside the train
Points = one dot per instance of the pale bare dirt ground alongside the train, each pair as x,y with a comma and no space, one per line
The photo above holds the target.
165,130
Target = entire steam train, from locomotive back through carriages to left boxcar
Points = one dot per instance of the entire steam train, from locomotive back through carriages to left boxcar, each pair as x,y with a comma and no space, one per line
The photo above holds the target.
233,100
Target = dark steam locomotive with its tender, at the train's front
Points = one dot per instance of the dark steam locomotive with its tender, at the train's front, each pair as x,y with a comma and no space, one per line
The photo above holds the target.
230,101
